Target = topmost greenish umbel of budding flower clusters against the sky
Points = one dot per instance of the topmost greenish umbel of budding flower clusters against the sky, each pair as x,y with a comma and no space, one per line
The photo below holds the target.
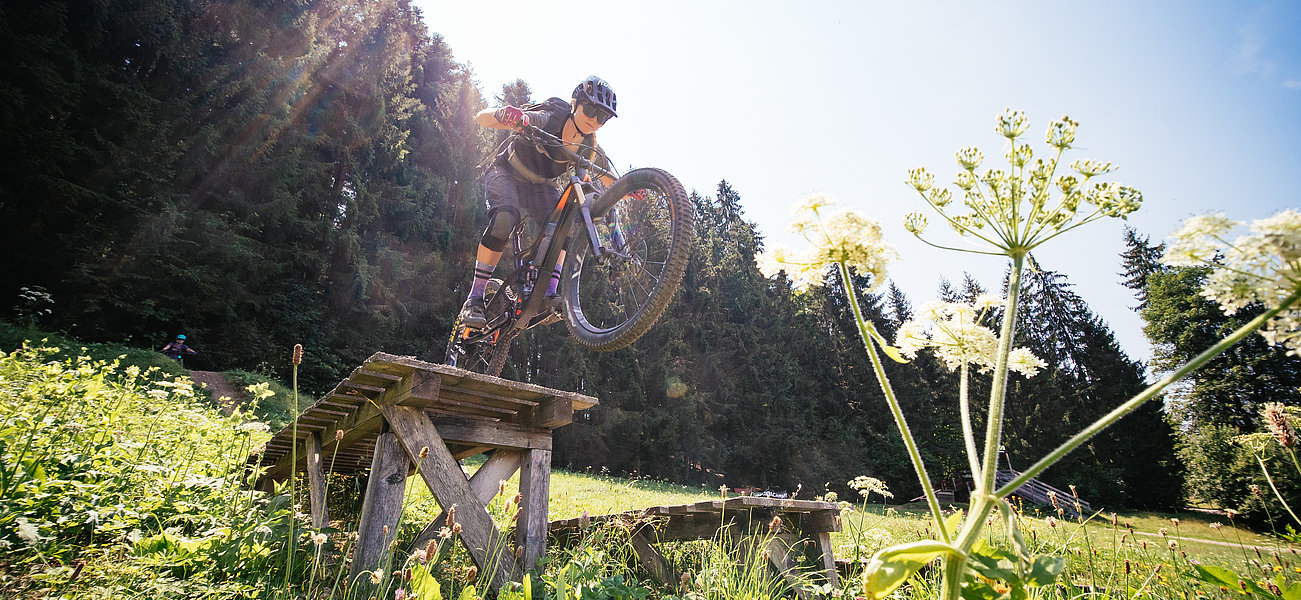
1013,211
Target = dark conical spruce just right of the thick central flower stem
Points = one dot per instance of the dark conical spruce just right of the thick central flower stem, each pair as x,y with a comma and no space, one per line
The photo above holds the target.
1088,375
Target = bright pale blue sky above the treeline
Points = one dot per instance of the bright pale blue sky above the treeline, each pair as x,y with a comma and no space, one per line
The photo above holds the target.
1199,103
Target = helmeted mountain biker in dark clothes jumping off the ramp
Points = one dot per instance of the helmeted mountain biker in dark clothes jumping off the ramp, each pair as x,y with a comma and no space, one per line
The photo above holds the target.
525,178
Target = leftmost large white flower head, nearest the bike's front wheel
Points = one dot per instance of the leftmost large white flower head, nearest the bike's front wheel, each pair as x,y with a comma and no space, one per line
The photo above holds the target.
836,238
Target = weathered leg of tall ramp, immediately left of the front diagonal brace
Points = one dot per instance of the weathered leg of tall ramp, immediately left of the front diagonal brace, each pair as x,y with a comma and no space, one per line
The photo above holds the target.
382,508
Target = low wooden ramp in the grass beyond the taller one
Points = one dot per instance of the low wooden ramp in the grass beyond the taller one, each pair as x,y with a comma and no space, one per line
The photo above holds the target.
779,528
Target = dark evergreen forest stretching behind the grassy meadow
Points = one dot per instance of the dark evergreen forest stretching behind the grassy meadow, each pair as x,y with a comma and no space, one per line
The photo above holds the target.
258,175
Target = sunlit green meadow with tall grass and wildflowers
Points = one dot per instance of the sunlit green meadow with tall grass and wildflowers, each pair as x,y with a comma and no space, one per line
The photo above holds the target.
122,480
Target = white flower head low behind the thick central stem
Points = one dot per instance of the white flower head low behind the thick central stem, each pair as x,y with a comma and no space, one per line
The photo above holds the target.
954,333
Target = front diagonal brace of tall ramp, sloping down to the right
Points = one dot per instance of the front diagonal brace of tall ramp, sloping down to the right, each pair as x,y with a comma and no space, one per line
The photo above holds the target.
449,487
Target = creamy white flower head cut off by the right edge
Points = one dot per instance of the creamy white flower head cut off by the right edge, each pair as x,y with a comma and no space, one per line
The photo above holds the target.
1263,267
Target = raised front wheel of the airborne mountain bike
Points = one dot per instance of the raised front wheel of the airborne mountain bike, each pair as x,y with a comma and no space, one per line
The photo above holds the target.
646,225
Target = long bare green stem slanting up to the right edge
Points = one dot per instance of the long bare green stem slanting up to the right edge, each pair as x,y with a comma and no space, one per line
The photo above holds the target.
1133,404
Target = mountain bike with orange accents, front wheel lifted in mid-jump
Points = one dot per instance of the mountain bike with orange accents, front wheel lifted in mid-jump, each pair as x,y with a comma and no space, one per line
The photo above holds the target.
628,251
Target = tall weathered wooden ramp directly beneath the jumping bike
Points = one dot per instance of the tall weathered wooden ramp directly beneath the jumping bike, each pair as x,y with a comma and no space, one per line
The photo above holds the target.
397,415
